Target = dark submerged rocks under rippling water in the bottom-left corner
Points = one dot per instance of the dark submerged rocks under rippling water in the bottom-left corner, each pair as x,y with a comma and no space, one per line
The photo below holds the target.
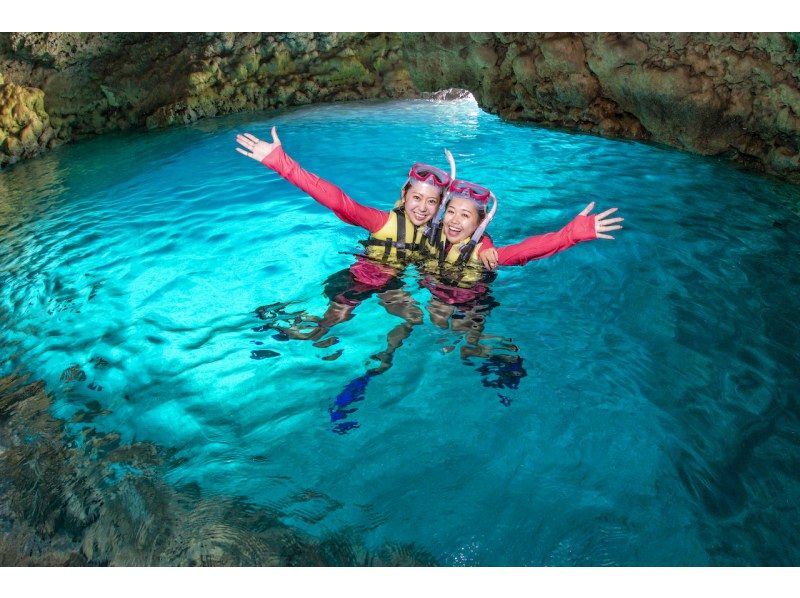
88,499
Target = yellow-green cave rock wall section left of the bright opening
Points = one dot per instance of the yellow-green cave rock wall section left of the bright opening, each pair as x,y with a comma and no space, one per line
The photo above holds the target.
56,87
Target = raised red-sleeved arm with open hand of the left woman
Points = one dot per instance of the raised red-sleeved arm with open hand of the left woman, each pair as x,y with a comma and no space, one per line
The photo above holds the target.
328,194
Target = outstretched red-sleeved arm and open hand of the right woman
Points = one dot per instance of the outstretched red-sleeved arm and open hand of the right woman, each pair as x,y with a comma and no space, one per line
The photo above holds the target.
584,227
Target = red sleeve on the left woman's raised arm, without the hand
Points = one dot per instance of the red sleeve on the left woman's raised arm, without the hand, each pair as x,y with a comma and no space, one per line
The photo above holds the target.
328,194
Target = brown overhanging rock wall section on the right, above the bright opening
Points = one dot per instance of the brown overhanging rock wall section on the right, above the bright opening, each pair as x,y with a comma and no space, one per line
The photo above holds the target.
731,94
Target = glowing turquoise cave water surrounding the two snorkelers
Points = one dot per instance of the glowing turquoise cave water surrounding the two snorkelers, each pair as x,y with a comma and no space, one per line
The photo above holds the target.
648,411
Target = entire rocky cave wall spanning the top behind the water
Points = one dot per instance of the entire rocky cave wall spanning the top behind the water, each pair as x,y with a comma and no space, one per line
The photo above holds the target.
734,95
